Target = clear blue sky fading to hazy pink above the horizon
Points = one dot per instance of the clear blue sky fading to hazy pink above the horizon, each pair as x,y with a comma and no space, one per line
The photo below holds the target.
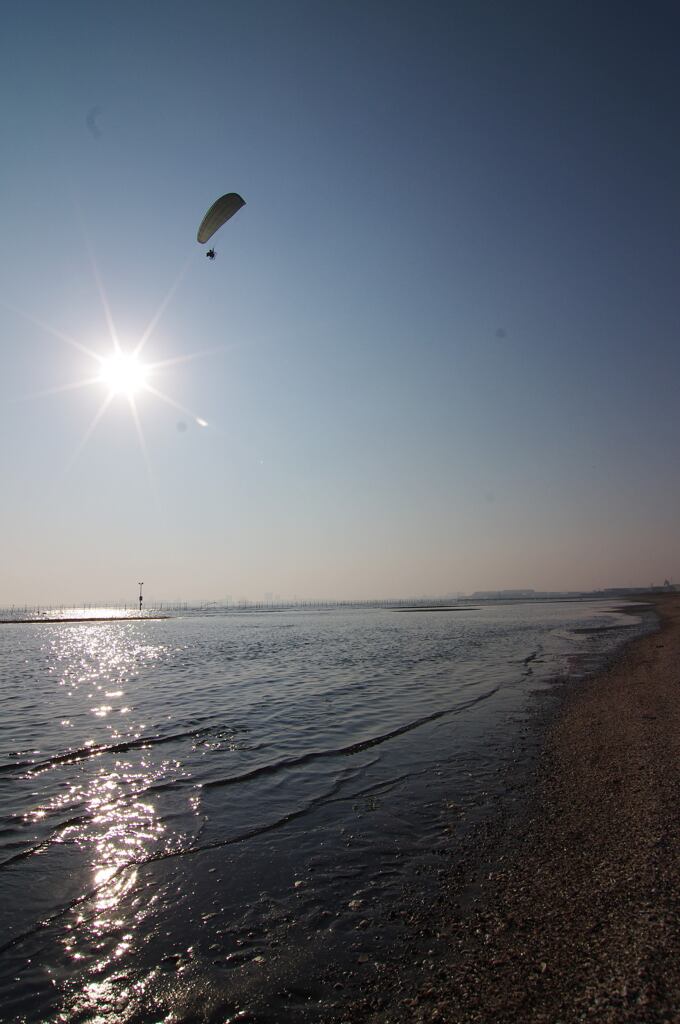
438,352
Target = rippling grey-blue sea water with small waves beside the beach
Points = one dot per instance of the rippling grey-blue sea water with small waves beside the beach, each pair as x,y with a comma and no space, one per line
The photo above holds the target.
200,817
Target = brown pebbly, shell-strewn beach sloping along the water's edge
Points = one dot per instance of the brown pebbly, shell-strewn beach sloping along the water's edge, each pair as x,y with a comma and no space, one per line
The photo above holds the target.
569,911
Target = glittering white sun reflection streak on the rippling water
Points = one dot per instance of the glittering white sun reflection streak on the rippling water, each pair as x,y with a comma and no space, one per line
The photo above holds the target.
107,824
